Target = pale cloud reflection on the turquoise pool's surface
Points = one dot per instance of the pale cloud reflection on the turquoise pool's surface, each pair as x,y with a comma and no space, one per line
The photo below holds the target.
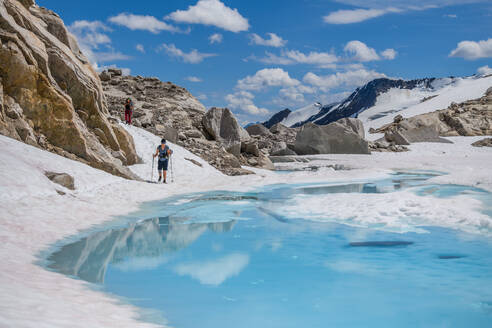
214,272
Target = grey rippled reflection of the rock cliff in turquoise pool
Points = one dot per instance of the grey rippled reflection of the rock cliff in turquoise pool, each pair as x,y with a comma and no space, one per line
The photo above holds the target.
137,246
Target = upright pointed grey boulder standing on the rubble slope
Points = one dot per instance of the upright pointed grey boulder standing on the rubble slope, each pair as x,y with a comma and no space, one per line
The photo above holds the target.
222,126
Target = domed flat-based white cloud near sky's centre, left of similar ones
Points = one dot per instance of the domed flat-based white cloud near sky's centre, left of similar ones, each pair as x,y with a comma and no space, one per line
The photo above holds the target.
267,77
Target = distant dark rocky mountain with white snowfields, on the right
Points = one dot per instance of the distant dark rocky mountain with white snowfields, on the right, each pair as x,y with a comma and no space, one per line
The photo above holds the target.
380,99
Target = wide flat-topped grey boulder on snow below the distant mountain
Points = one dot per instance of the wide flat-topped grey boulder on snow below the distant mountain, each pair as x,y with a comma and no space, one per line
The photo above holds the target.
334,138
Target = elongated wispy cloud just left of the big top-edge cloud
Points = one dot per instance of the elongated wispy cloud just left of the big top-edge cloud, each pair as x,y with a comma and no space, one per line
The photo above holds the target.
142,22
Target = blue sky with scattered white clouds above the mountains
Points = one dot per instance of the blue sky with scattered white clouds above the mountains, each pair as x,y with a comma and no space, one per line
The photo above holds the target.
258,57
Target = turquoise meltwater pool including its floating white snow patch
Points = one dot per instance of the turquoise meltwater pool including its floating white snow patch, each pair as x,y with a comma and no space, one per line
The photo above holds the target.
300,255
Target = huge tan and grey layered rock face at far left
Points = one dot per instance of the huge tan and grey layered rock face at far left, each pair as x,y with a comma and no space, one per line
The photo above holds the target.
52,97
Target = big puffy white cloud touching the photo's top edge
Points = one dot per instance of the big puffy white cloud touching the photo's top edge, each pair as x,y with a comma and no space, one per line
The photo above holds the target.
212,12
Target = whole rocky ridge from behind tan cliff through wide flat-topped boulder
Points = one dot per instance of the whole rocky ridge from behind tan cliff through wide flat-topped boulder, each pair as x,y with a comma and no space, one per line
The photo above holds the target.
215,135
